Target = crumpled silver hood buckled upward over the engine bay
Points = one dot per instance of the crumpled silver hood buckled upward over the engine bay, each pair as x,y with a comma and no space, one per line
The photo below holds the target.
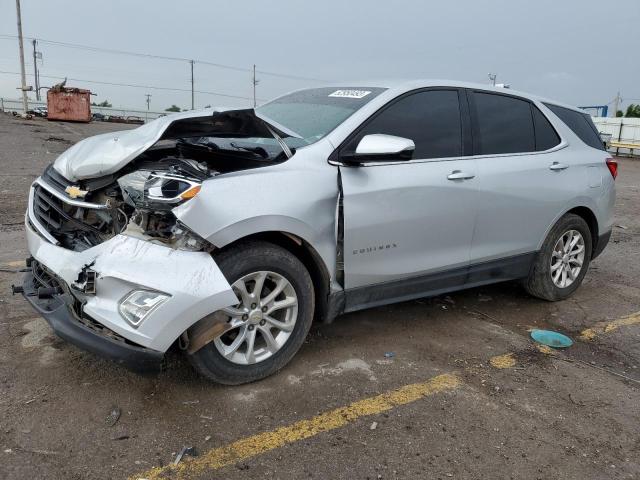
107,153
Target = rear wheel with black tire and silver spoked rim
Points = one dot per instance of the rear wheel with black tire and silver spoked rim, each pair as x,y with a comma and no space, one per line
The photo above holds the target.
555,274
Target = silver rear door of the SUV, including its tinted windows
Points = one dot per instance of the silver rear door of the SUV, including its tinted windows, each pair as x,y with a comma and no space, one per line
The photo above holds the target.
525,179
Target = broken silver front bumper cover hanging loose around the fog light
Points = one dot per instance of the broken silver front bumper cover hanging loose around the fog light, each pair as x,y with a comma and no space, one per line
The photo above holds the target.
195,285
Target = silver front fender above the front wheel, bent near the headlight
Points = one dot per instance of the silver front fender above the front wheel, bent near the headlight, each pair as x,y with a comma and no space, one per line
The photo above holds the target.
298,201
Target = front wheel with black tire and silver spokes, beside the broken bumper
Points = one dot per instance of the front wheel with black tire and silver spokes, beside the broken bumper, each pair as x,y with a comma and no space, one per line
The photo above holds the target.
269,324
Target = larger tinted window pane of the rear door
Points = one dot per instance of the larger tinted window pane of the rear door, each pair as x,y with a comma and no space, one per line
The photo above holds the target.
505,124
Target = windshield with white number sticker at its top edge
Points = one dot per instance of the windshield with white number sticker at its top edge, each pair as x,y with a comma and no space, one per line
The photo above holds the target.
314,113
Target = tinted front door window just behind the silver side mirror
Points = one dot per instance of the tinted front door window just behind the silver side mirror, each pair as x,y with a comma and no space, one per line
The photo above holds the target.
430,118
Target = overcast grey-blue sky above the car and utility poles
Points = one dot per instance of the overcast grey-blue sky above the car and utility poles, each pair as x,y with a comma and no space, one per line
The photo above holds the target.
577,51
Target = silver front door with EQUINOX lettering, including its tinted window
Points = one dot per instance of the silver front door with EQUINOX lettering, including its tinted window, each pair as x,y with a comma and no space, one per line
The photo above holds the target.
407,219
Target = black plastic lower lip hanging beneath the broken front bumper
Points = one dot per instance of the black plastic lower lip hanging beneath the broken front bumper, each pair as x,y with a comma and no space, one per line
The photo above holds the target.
56,310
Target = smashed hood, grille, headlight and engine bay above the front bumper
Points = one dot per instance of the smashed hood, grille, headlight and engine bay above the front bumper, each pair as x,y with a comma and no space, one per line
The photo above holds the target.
90,194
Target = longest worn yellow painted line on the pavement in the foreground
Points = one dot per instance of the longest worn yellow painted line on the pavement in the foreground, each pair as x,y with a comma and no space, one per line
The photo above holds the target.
324,422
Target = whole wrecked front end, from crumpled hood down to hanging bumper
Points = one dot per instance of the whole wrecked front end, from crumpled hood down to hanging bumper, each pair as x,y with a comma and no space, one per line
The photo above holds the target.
112,268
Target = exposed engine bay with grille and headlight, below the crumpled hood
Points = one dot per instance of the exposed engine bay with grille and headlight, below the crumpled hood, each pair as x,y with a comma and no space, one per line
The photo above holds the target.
138,199
